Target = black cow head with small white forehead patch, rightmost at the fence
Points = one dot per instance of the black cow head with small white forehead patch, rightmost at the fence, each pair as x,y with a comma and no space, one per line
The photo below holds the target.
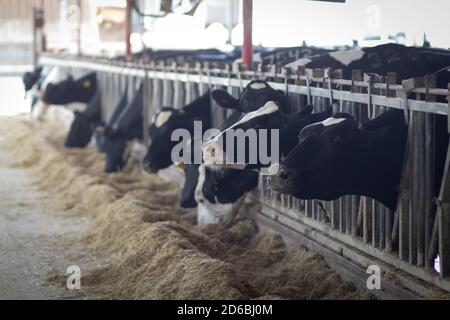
337,157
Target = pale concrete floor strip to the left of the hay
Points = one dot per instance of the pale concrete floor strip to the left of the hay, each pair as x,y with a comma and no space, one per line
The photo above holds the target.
31,234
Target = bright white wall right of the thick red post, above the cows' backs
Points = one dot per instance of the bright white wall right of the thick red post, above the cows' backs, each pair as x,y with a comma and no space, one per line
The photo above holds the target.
289,22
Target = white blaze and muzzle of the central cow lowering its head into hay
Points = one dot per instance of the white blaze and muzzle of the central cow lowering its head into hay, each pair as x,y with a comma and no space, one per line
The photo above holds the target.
213,213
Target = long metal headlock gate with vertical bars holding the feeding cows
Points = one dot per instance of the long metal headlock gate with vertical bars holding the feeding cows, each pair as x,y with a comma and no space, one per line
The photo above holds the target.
352,232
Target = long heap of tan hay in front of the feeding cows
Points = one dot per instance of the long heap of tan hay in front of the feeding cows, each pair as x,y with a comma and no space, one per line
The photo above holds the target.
151,249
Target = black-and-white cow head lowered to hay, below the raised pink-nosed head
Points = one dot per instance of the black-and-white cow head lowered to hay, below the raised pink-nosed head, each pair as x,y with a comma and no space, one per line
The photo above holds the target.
220,194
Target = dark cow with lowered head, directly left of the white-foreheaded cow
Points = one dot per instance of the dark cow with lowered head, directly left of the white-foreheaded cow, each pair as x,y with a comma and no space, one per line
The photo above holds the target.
127,127
